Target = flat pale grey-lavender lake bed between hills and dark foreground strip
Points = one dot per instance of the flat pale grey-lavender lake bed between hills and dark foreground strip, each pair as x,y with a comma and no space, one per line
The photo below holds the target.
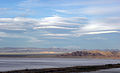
8,64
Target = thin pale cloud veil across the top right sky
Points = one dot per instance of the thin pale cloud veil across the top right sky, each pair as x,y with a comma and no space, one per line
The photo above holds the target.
93,8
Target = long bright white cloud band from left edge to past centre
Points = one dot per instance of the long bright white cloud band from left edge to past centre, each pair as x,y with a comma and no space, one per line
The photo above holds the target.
20,23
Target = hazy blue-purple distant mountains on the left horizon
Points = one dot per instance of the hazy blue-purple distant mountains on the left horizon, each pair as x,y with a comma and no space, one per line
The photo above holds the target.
21,50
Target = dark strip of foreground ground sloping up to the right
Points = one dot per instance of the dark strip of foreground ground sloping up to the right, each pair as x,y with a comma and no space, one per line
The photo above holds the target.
75,69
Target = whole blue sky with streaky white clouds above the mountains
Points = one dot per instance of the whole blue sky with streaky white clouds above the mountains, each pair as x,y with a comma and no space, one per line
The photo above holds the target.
85,24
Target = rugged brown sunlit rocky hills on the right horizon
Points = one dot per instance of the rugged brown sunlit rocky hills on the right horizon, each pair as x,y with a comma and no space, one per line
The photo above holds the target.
93,53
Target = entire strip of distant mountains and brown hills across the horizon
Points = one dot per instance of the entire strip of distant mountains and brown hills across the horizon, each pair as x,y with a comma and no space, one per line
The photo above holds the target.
60,52
